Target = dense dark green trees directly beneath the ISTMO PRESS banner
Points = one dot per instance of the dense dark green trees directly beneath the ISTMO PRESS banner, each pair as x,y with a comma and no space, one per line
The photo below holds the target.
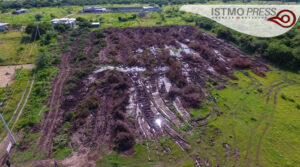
283,50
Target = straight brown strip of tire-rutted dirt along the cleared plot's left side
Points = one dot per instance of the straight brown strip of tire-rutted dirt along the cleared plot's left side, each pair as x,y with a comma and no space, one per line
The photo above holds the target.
52,117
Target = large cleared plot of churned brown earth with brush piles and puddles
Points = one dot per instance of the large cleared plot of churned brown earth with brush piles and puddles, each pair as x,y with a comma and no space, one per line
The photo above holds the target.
141,85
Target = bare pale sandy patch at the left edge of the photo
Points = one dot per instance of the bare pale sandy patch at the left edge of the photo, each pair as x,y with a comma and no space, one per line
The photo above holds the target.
7,73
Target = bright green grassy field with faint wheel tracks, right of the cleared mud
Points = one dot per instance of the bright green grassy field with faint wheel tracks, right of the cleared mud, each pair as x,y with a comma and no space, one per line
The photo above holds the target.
261,119
